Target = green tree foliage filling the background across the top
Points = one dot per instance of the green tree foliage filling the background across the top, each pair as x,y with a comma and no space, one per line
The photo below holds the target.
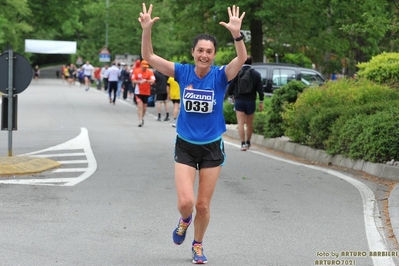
333,34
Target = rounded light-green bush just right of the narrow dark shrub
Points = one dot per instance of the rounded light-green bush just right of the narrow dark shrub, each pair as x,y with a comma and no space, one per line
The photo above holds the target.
309,119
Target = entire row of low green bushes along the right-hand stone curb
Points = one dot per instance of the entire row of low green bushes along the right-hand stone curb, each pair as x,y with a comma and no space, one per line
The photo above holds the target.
355,118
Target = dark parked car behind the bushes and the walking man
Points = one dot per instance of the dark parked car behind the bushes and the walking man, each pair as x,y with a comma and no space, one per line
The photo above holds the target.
275,75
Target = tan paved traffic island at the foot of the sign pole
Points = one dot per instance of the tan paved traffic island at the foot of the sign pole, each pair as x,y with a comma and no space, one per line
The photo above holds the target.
19,165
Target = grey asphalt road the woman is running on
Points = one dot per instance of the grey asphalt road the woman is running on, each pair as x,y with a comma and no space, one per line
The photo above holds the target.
116,204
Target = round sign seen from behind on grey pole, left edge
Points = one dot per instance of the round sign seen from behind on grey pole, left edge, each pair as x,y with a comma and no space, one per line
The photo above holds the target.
15,76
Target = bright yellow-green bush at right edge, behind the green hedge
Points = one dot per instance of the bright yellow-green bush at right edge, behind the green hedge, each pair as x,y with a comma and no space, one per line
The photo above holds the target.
382,69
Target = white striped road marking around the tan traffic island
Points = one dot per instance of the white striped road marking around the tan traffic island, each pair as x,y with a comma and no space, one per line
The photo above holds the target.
80,142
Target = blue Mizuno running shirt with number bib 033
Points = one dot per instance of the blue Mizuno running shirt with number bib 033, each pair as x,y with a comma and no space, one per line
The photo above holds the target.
201,118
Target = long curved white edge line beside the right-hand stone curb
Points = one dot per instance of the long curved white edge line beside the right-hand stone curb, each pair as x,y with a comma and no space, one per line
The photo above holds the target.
372,221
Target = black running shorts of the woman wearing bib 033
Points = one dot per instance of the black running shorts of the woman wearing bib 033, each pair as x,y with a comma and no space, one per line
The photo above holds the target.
200,155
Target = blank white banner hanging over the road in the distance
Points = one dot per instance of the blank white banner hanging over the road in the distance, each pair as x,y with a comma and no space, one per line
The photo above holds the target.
50,47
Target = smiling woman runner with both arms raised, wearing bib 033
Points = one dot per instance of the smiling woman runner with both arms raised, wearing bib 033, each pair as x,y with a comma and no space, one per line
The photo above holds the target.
201,122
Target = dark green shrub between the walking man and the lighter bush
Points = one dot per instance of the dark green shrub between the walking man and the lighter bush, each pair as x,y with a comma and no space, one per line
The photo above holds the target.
273,126
